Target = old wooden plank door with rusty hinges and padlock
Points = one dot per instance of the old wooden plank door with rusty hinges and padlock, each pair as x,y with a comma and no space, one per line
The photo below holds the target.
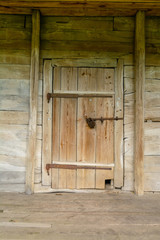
82,93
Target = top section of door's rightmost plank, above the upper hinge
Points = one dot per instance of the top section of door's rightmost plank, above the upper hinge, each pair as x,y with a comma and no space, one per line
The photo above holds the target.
105,80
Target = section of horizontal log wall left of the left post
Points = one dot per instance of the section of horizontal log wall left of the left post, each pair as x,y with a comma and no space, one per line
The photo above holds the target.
14,100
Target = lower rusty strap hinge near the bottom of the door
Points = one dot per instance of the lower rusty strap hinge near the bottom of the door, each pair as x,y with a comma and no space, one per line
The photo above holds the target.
74,166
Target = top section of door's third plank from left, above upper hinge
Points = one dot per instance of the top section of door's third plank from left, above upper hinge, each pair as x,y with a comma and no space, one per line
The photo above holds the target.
87,79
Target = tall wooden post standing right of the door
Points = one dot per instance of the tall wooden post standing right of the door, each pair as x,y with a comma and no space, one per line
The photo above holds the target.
139,114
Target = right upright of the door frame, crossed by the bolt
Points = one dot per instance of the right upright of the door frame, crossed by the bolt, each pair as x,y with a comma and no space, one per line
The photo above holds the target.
118,171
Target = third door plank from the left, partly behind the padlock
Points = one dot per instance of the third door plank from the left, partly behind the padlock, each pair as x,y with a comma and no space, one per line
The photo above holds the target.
86,137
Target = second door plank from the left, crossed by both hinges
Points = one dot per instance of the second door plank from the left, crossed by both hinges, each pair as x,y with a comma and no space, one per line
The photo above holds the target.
68,131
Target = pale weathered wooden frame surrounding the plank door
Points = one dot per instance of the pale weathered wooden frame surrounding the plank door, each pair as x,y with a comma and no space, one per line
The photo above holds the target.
47,115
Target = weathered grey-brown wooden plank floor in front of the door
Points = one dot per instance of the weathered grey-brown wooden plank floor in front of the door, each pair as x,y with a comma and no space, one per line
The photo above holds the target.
80,216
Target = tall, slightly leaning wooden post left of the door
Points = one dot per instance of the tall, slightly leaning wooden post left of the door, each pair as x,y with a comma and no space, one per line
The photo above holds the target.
34,78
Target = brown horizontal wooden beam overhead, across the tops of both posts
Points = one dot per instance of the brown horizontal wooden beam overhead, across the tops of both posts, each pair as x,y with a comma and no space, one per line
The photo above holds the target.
81,7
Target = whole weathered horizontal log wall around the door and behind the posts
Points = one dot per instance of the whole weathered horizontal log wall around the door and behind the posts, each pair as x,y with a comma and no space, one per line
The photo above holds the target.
102,40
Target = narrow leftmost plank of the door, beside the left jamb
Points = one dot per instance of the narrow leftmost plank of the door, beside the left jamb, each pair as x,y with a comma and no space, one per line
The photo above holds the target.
56,127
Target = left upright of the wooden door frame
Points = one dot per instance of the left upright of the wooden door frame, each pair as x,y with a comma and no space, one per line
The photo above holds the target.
47,123
